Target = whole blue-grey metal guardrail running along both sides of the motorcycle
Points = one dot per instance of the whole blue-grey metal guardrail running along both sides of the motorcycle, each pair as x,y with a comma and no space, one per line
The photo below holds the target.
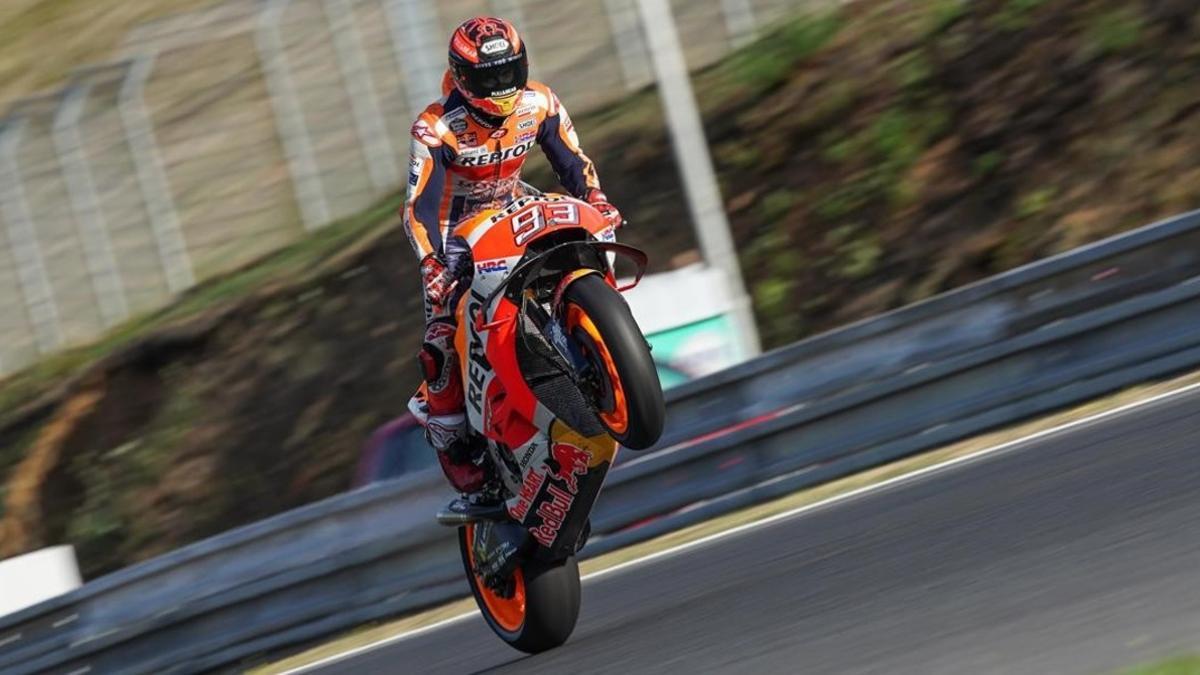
1024,343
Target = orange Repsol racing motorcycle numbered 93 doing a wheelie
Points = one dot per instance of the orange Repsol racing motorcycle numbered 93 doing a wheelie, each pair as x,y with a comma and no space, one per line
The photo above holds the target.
556,374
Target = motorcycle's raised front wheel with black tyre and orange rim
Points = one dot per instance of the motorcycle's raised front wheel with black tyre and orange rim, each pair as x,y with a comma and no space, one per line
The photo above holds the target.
623,384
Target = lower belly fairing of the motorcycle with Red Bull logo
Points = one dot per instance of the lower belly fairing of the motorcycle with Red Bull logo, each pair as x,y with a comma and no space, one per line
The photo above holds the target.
557,495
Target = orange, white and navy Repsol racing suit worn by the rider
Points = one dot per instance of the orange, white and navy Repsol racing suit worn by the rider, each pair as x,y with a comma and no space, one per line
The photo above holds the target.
459,166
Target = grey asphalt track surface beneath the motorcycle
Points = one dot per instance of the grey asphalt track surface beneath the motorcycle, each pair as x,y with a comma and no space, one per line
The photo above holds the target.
1076,553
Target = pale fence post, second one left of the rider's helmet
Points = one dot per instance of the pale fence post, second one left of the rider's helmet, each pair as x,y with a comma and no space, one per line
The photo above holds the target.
352,64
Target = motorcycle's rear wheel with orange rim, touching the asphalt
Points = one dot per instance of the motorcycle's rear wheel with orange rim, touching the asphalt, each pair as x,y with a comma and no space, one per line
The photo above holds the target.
538,611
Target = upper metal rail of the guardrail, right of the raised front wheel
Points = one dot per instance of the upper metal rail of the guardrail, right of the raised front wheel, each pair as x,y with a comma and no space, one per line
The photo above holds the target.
962,320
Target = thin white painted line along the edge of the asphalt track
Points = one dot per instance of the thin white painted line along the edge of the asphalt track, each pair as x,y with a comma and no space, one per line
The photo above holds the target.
788,515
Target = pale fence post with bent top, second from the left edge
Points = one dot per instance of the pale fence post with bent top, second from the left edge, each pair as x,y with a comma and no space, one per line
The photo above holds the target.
106,279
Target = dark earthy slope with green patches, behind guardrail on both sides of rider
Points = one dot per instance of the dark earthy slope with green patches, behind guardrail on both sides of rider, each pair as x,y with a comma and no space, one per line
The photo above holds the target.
869,158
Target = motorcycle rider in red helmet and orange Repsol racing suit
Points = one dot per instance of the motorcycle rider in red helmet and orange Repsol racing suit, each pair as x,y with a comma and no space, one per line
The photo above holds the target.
467,153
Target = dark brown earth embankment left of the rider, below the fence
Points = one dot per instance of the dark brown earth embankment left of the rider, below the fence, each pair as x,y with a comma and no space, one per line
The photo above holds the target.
241,414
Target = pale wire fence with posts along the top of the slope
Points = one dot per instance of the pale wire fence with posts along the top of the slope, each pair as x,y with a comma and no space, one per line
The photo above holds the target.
225,134
